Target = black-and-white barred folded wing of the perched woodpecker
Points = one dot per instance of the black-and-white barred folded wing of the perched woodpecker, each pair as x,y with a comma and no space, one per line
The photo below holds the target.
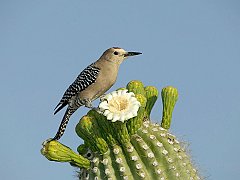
87,77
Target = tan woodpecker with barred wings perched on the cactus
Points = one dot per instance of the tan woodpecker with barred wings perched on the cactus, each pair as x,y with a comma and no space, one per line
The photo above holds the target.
91,83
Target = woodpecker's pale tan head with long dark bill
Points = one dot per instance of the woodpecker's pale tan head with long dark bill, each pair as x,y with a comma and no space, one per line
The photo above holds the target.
117,55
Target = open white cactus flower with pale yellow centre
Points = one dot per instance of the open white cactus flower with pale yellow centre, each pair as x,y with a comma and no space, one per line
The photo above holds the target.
119,105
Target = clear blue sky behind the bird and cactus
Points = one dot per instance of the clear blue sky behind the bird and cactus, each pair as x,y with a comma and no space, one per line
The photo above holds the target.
192,45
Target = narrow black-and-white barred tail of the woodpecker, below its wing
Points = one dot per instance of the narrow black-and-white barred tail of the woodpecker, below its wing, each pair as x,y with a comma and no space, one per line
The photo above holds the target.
64,123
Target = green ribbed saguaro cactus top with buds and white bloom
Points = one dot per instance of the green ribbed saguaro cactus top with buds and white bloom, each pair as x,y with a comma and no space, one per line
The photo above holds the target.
120,141
